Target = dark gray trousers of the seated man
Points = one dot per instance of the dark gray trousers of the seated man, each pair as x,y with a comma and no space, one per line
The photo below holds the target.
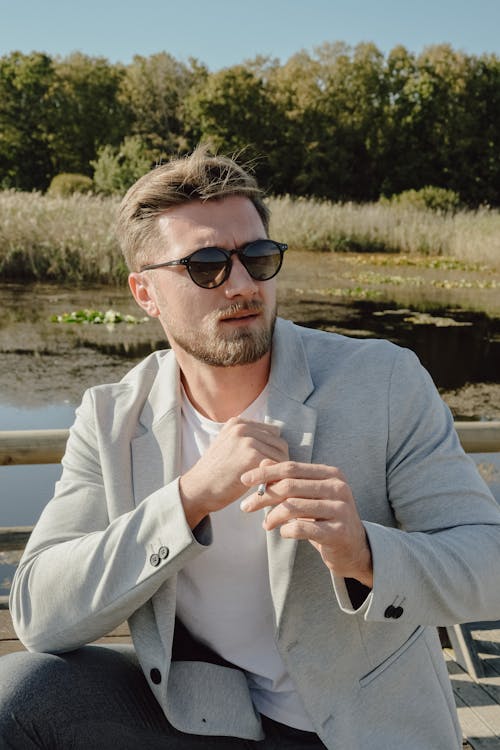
96,698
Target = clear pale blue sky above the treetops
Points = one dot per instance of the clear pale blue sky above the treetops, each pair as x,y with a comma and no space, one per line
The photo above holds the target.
221,33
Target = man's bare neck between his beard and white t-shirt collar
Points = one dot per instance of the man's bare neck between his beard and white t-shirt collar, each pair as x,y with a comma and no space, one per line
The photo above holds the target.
220,393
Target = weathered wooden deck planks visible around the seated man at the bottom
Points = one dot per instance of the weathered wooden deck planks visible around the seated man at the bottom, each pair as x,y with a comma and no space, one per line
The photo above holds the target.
478,701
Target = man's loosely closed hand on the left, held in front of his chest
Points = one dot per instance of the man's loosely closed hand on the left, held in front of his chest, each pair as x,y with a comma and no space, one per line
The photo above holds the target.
215,480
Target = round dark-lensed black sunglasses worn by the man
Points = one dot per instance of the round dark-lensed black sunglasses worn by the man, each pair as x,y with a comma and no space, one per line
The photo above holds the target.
210,267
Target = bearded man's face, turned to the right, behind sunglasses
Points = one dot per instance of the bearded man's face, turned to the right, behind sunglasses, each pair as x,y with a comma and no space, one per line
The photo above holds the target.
226,326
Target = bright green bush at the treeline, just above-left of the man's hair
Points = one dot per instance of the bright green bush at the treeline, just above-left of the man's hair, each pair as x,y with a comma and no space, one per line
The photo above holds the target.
115,170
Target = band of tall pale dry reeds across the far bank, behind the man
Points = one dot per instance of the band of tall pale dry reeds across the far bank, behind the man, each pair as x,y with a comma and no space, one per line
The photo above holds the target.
72,239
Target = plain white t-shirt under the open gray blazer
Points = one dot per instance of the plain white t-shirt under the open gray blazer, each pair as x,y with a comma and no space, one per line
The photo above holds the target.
223,595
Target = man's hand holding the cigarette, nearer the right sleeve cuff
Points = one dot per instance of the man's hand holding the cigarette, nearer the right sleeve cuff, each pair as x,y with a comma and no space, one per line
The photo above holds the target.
314,502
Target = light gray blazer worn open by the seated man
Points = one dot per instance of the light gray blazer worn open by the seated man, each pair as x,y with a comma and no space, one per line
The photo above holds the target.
371,677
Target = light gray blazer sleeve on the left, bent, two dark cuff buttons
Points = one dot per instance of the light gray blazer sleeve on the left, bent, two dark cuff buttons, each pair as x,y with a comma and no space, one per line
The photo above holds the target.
82,574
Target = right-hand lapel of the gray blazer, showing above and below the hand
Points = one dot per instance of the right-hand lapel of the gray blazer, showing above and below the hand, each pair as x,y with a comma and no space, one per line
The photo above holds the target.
290,385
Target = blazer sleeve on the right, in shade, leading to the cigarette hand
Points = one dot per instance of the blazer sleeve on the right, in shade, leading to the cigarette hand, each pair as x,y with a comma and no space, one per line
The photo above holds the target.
439,565
